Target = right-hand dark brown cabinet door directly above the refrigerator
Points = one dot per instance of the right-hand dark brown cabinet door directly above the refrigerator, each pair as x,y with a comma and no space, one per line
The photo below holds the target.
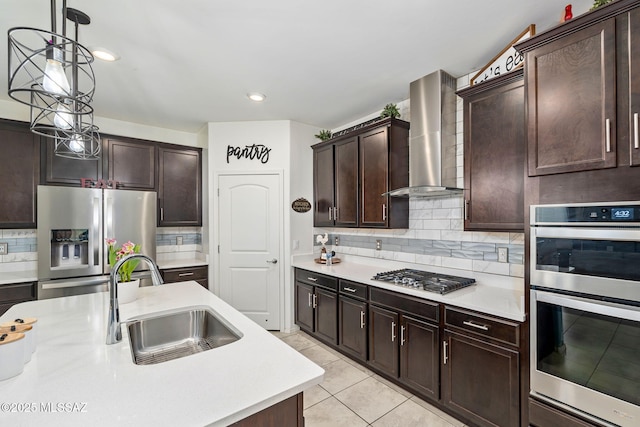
130,162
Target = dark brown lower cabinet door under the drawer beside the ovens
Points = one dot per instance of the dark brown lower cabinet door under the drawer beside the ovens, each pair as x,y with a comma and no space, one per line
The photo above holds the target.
480,380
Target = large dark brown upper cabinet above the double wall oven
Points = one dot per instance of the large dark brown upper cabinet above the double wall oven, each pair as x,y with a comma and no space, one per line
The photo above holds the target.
582,97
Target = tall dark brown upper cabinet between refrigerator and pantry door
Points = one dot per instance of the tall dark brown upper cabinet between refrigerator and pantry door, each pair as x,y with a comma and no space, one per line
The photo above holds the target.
179,186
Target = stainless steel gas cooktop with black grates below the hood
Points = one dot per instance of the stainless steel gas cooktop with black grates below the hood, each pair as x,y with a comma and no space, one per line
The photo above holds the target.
425,280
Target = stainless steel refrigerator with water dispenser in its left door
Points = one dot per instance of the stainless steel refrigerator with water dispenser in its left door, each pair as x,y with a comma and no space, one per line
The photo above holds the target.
73,224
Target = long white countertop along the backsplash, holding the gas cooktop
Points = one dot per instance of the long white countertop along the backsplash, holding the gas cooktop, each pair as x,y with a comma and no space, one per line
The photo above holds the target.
496,295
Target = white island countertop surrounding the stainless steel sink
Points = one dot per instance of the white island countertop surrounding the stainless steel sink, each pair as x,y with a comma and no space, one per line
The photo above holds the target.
73,365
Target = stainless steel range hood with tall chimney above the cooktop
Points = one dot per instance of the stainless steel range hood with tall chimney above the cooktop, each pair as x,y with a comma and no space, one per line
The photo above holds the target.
432,144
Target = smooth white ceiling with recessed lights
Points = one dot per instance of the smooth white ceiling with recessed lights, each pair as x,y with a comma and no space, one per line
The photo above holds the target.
324,63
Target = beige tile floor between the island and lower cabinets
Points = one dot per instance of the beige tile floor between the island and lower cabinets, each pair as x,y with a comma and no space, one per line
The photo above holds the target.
353,396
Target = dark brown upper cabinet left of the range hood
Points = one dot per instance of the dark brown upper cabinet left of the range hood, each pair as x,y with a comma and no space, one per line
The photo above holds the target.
352,171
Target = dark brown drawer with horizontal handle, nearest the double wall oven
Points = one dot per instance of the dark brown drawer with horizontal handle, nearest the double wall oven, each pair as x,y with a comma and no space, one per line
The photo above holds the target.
501,330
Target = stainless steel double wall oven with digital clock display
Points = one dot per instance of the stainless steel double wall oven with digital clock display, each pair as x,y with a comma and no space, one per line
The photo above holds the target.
585,309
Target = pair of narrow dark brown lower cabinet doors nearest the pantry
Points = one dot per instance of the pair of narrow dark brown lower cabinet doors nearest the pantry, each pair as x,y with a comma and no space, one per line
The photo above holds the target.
316,311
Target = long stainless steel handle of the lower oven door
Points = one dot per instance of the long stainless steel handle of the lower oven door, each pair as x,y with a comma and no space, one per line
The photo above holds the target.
600,307
